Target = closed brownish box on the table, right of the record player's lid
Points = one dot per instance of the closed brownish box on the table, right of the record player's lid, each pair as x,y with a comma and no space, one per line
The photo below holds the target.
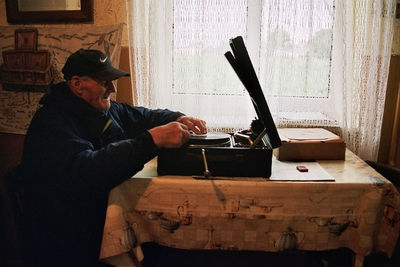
307,144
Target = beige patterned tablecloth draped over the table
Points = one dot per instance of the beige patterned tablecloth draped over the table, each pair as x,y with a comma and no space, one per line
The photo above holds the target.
358,210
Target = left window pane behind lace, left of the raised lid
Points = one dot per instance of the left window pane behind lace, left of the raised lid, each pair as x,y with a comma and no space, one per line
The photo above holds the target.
199,65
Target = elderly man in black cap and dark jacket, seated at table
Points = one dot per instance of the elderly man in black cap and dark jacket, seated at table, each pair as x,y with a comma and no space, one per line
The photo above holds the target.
79,145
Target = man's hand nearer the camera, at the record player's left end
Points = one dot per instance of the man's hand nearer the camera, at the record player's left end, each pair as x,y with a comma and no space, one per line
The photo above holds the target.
171,135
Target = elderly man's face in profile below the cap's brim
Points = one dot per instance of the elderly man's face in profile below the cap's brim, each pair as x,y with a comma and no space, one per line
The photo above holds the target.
96,92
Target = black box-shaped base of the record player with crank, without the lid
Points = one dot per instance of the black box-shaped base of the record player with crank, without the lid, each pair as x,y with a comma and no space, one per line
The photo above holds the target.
222,161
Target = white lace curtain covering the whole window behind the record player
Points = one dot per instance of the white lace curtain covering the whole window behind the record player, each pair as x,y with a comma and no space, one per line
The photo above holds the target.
320,63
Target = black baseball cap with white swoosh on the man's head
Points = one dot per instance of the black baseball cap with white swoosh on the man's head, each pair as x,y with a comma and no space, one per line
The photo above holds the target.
92,63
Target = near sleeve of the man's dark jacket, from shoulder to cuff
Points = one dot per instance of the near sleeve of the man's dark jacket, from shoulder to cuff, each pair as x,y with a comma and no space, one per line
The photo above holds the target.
56,156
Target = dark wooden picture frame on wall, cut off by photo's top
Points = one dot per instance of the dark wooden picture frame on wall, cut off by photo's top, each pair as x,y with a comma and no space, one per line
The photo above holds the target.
15,15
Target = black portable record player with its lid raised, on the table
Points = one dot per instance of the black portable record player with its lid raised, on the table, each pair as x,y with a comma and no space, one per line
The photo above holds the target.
246,153
